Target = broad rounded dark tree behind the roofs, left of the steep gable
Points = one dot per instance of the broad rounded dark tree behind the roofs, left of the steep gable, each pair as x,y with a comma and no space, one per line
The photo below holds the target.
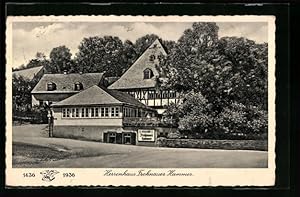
98,54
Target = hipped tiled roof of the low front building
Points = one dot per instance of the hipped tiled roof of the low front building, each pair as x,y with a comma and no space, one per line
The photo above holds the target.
96,95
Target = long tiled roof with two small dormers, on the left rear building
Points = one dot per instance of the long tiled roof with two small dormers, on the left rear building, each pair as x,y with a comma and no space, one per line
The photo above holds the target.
65,82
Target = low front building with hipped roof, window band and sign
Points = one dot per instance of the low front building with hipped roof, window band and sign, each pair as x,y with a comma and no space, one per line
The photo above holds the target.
100,114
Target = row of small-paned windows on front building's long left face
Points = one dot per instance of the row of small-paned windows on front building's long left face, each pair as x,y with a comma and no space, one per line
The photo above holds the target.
91,112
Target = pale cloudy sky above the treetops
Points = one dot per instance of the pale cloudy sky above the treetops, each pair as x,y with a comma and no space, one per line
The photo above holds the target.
32,37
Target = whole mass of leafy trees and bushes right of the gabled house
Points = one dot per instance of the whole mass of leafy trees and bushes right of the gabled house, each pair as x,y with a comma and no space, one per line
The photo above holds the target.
230,73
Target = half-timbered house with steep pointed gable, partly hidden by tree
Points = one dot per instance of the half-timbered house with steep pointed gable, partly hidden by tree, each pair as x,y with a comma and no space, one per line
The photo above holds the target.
141,79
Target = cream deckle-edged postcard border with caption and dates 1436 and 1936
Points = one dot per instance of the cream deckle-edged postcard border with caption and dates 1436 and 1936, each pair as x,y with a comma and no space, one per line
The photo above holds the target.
95,176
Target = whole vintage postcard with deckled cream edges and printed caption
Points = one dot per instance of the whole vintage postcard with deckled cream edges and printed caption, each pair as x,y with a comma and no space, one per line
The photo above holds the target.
140,101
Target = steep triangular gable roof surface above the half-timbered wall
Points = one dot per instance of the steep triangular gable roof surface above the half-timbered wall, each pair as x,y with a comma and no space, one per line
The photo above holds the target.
134,76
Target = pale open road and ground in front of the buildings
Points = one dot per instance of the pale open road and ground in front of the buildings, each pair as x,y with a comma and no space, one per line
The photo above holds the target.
33,148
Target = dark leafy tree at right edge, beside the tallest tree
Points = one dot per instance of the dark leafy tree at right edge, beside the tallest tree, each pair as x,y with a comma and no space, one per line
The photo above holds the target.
249,75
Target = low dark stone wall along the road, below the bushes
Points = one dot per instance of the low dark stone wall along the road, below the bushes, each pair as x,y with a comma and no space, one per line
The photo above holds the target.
214,144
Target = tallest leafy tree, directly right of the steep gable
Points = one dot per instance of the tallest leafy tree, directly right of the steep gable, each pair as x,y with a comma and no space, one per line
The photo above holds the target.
191,63
